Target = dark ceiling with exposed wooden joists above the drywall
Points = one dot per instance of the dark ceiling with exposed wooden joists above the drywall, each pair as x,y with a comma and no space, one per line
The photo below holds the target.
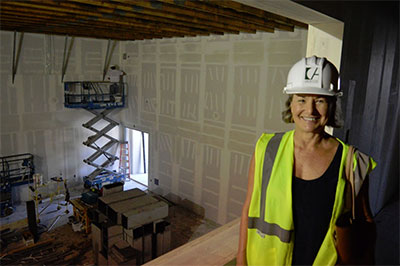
138,19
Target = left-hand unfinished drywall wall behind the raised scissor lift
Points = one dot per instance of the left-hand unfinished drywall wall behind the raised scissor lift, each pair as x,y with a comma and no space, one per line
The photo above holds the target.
32,113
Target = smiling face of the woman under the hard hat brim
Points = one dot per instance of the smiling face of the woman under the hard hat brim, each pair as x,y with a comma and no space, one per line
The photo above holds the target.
310,112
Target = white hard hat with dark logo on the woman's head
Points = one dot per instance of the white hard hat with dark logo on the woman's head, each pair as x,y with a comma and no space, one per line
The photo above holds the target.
313,75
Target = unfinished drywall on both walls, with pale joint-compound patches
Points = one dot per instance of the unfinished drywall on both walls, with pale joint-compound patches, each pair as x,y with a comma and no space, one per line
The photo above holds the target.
204,101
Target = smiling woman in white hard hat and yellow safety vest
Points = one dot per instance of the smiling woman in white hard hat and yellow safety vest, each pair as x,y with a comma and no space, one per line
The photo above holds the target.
296,179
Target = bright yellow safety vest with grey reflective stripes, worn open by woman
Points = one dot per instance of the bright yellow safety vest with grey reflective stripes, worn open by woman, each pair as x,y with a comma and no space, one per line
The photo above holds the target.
270,230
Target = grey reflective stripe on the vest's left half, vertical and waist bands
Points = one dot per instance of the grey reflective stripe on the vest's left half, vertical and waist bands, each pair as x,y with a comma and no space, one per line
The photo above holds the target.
258,223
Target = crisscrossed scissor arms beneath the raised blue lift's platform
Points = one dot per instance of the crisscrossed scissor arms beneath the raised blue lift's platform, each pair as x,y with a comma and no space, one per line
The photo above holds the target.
101,159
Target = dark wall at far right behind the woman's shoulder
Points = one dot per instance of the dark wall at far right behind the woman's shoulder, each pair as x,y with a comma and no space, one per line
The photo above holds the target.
370,82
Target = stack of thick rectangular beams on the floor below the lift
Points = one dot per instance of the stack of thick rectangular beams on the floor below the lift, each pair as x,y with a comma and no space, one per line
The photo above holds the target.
130,228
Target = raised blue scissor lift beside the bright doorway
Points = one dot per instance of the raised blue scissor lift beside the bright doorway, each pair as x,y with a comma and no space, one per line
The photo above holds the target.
93,96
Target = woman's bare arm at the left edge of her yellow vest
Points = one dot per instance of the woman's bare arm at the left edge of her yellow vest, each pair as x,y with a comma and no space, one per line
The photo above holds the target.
241,256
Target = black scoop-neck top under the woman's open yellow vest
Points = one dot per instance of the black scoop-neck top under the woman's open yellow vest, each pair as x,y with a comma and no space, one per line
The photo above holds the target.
312,210
